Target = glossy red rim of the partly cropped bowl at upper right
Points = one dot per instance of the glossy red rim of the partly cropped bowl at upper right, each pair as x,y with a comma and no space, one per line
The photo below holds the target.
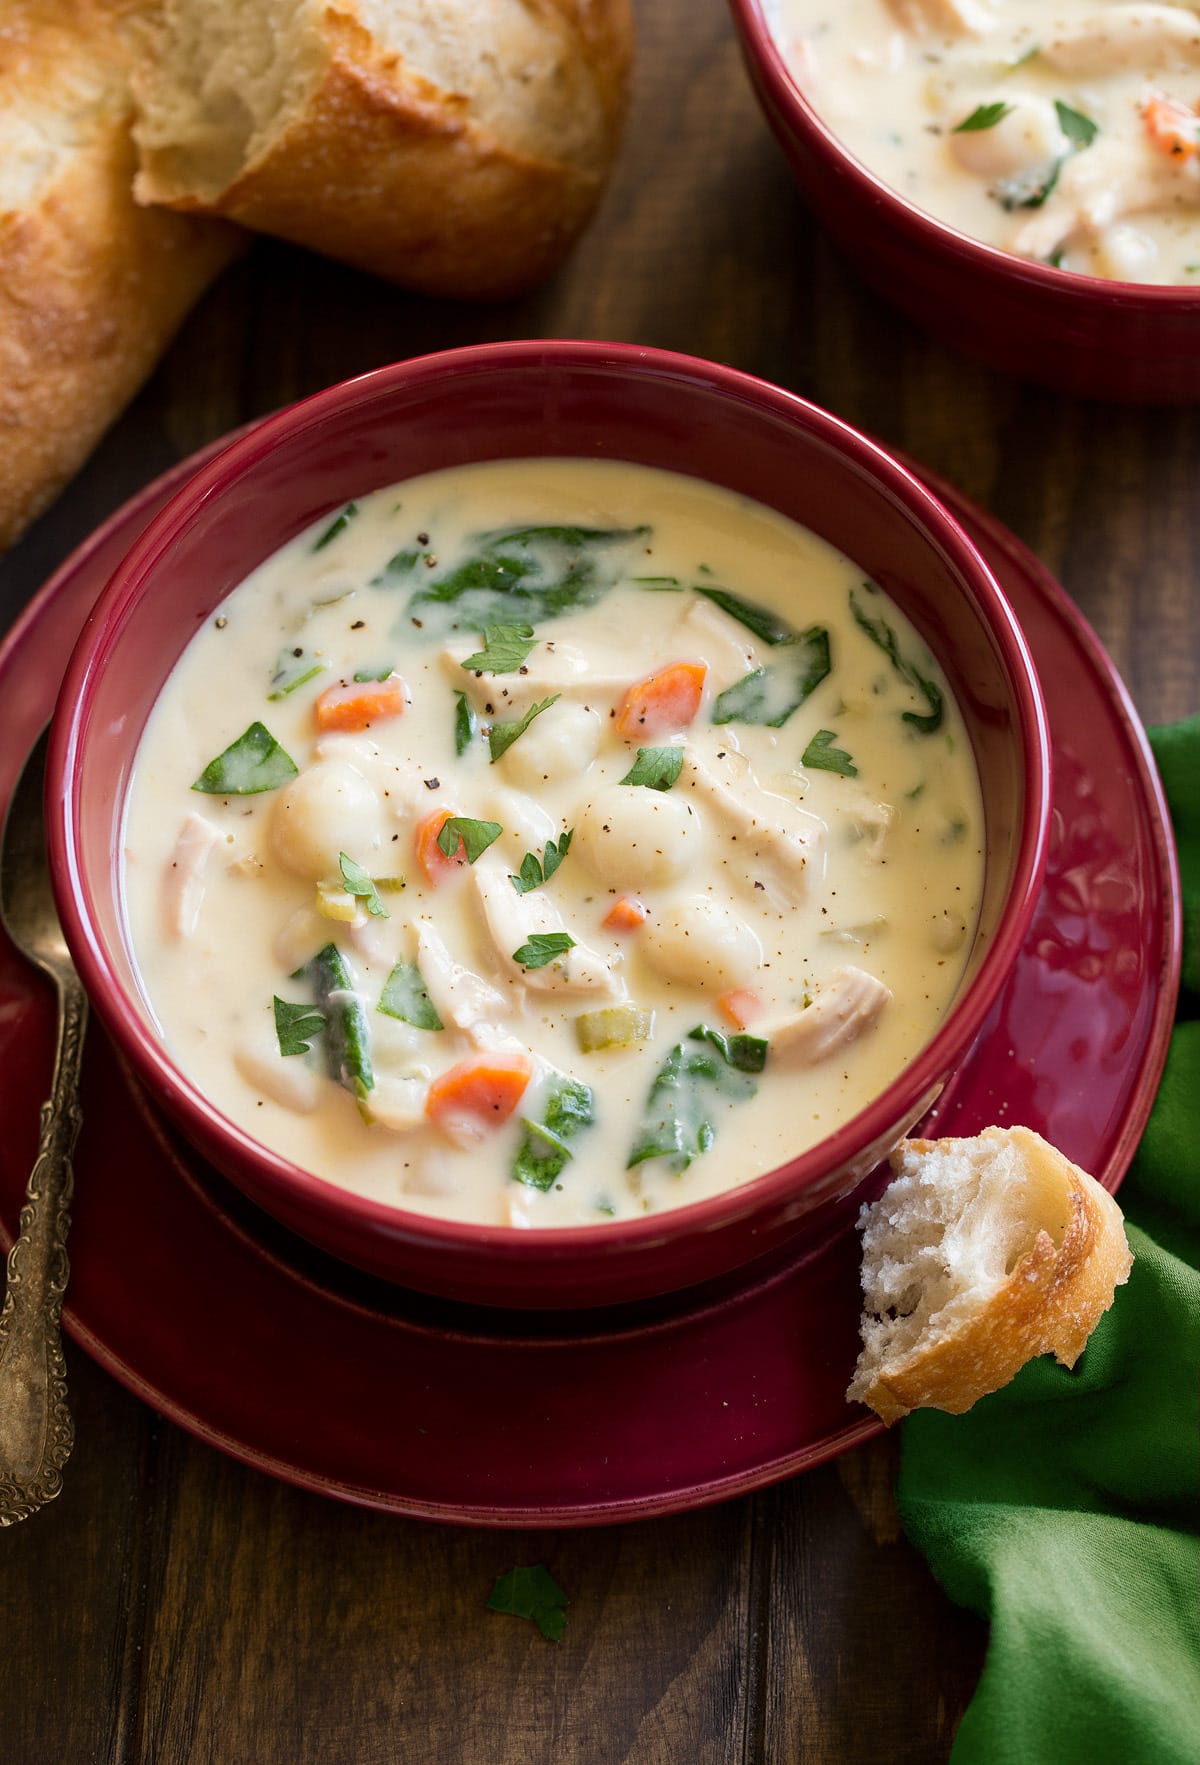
788,94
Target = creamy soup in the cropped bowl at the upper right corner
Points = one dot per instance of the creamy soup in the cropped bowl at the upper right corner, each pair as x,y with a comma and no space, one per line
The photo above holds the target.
1065,131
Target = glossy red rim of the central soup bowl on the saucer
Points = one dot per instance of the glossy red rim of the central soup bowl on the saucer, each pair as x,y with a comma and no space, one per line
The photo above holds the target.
384,1219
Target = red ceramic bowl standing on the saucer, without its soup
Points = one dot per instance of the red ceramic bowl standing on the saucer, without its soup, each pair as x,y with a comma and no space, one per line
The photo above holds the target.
527,400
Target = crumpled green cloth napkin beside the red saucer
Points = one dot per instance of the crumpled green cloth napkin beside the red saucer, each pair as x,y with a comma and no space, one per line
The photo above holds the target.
1067,1508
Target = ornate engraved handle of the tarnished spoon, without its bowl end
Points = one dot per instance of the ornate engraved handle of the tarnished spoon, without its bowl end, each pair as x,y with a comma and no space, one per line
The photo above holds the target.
36,1431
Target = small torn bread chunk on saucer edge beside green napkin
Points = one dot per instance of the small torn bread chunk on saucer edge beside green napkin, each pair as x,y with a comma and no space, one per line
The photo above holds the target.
980,1256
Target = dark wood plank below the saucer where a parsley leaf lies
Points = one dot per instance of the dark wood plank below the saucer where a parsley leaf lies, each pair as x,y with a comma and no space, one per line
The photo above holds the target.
287,1628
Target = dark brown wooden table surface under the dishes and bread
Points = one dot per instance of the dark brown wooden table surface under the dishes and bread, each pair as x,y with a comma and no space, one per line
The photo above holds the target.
177,1609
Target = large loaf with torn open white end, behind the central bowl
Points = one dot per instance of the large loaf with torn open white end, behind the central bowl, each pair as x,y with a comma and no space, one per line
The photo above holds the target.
453,147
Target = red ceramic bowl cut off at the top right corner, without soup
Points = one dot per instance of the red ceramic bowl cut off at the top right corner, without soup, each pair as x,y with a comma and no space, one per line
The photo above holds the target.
1081,334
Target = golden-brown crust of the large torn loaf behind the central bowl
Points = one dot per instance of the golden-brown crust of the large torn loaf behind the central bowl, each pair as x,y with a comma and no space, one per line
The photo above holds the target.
386,170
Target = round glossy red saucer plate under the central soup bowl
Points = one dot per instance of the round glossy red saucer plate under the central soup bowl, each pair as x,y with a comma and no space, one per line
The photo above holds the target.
304,1369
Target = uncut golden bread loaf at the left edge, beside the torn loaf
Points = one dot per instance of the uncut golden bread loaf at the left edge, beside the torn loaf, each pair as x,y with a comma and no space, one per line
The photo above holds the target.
91,285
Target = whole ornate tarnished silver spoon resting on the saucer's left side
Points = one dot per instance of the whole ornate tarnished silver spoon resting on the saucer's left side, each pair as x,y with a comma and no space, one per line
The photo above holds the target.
36,1429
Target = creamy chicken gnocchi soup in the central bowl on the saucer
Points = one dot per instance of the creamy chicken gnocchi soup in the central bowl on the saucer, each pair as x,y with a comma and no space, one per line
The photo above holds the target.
550,843
